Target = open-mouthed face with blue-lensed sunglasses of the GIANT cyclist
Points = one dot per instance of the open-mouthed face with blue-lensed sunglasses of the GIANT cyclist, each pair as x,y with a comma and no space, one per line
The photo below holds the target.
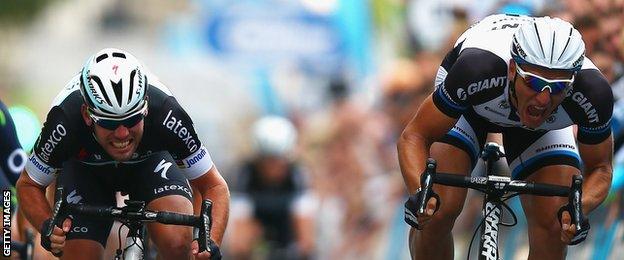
535,106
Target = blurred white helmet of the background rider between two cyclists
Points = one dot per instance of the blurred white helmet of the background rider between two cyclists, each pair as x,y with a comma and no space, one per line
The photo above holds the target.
274,135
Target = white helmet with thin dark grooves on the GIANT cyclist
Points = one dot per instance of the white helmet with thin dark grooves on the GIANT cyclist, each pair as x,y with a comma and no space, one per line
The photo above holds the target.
550,43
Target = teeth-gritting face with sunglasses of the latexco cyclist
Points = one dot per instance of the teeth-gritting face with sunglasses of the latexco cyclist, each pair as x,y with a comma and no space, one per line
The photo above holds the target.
120,143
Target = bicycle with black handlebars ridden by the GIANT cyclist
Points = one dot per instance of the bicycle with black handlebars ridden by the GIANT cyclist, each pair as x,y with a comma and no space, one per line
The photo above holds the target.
495,187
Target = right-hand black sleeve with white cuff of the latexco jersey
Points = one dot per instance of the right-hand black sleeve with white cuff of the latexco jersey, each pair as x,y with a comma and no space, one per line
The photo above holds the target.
182,141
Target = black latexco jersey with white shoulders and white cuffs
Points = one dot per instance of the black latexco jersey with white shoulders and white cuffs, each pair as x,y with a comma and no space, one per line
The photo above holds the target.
65,136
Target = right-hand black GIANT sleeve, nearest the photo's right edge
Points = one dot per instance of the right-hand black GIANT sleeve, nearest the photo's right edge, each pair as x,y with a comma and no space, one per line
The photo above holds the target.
593,103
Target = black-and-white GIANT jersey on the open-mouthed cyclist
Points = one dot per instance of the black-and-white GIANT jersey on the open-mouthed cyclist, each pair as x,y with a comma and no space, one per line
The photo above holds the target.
473,79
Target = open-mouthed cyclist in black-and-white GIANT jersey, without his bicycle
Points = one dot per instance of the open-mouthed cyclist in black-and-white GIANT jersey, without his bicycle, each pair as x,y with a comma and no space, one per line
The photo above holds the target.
527,78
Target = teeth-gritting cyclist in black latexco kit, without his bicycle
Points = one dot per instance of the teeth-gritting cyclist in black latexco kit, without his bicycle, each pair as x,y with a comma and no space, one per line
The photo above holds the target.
115,127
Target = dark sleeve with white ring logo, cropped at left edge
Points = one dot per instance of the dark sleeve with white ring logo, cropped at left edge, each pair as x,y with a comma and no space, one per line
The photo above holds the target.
12,157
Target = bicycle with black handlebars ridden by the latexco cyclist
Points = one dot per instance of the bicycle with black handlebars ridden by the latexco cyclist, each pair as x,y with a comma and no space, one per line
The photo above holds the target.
134,216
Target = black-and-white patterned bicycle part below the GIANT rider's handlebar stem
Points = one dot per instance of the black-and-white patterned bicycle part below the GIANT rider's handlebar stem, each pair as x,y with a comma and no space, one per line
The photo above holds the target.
488,245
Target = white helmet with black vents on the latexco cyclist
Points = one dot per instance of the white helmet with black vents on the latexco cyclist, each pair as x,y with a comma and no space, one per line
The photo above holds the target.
113,84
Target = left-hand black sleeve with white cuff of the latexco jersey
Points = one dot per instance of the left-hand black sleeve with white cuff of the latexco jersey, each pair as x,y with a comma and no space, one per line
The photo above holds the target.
51,148
